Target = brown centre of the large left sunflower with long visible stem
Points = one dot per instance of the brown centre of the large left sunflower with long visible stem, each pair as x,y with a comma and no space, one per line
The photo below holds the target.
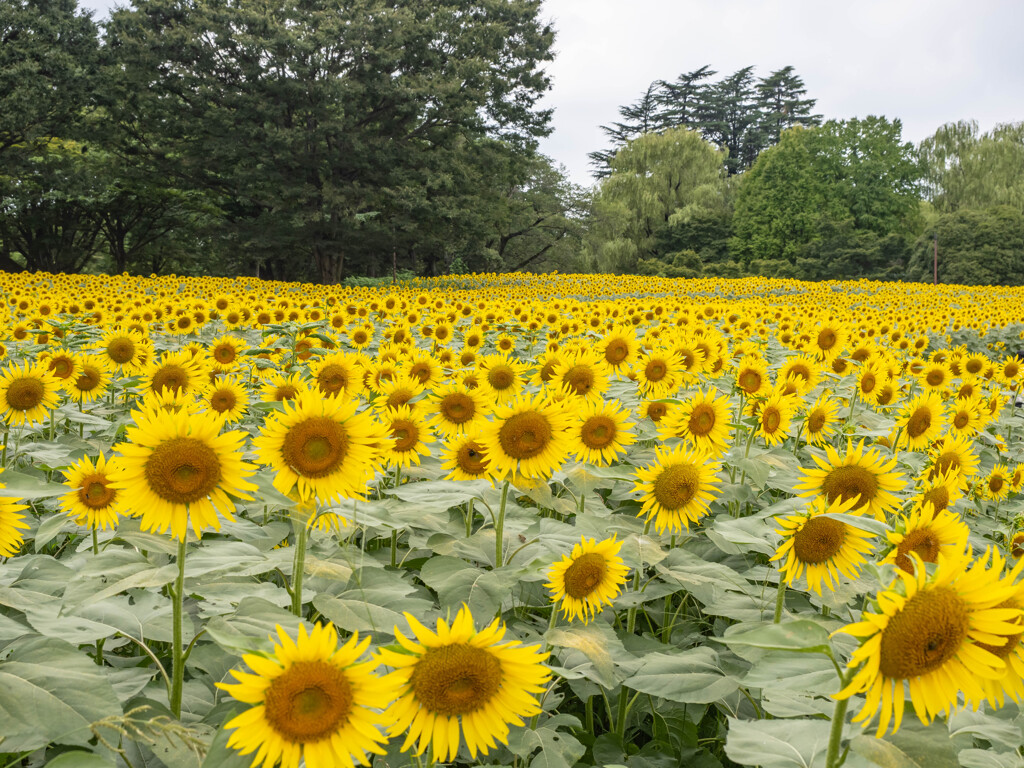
183,471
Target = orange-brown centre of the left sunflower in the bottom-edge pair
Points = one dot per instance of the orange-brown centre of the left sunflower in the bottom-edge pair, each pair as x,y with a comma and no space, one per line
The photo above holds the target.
309,702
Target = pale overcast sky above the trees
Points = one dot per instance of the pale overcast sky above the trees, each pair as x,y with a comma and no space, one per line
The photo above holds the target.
926,62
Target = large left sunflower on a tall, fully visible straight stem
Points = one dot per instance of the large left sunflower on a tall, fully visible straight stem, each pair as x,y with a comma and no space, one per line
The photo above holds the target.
178,470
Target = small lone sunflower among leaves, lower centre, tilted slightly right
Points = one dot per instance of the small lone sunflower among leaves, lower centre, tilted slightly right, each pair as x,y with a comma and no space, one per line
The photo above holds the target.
587,580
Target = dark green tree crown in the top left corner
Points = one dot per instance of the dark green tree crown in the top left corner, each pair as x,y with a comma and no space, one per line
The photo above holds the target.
49,60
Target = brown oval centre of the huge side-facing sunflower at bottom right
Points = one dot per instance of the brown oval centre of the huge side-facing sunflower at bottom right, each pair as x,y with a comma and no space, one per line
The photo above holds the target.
927,633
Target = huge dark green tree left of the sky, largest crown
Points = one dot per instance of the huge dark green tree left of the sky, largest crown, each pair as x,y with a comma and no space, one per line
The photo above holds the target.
310,117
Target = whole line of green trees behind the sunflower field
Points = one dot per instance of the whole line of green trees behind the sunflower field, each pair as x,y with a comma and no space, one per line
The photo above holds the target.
313,140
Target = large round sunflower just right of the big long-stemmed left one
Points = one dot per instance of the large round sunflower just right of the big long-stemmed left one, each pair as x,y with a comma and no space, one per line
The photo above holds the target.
322,448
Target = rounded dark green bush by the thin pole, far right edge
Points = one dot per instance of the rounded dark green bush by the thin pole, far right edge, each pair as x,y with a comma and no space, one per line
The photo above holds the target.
977,247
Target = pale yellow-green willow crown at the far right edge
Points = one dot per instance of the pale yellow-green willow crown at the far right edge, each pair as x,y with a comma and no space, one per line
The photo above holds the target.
967,169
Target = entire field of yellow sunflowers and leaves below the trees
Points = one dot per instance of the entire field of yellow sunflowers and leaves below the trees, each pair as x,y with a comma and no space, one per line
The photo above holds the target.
518,521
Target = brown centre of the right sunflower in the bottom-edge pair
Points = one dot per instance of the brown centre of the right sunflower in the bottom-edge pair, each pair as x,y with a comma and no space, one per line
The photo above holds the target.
456,679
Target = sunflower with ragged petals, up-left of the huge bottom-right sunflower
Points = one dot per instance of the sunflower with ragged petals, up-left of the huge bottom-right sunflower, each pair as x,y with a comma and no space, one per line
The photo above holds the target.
823,546
